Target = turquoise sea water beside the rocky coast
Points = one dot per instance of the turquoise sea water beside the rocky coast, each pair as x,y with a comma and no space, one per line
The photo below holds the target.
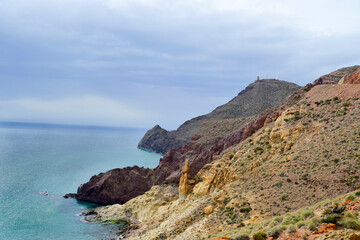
38,158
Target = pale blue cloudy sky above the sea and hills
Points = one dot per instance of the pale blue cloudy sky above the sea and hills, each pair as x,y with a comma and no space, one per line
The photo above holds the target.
138,63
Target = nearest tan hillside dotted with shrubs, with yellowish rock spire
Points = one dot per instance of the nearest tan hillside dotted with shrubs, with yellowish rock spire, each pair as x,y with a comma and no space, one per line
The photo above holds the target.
306,151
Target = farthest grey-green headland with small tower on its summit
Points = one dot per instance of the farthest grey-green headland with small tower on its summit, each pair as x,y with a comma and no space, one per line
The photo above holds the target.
256,97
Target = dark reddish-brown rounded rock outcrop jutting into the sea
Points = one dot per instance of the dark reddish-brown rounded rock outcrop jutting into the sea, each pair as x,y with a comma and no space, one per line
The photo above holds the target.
116,186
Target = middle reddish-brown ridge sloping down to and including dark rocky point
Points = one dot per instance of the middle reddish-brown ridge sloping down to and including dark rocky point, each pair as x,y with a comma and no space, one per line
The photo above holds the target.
211,139
